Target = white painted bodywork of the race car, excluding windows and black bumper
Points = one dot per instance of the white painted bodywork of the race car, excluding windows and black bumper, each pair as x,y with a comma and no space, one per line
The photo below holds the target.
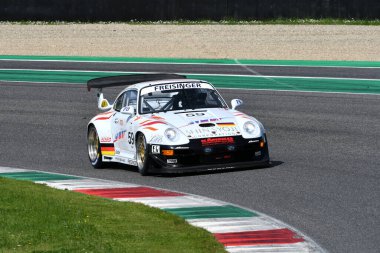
119,130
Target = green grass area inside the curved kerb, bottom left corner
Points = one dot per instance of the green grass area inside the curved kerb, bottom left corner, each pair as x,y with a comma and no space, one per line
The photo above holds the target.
36,218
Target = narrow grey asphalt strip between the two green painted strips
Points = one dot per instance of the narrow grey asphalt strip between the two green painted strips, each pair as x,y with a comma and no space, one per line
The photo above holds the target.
341,72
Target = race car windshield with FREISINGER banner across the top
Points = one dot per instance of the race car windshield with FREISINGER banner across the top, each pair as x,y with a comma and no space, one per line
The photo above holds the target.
179,96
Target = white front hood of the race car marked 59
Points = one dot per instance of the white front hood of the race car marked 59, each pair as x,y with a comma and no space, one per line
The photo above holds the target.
214,122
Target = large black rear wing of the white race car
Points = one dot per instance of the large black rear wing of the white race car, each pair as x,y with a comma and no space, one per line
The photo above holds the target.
124,80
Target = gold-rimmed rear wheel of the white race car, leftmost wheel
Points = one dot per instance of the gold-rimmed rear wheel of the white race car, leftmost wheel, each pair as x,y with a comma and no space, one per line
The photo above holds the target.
93,146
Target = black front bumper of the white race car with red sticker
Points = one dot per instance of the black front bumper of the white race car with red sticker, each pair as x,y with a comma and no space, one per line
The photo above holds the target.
211,154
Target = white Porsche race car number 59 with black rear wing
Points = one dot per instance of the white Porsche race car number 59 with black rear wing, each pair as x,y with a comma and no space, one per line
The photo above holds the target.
167,123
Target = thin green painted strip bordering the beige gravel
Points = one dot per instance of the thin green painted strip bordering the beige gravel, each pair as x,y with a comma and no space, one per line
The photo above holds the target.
368,64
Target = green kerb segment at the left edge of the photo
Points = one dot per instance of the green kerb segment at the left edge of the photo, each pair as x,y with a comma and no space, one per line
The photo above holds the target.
36,176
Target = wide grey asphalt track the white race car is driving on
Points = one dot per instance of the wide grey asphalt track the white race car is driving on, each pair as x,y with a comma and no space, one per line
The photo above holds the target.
325,149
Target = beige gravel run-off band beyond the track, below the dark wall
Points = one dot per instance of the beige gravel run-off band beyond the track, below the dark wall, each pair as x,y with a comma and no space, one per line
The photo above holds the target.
288,42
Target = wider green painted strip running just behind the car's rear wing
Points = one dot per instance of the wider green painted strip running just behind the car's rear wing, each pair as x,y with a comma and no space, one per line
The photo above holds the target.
220,81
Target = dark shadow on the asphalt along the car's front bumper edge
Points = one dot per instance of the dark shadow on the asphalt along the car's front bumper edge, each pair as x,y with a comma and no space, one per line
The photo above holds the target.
186,174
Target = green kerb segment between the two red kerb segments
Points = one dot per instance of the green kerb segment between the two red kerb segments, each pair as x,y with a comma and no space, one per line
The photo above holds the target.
206,212
